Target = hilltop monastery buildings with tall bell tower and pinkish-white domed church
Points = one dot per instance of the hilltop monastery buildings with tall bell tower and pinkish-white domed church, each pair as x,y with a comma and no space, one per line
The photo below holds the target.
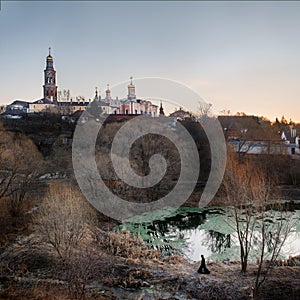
52,102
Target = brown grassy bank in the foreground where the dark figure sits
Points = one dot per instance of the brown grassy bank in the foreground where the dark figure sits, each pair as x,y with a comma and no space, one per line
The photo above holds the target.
31,270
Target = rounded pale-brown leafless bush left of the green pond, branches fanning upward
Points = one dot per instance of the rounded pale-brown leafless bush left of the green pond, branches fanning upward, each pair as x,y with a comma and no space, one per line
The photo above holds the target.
65,218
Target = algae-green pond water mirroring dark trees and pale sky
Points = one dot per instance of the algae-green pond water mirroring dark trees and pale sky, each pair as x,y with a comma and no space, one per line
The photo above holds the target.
203,231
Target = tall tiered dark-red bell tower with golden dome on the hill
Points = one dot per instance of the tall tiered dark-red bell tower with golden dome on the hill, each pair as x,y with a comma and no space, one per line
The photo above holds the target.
50,88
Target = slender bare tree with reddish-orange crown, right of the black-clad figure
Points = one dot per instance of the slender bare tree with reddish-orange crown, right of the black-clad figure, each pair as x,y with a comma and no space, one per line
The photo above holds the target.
247,189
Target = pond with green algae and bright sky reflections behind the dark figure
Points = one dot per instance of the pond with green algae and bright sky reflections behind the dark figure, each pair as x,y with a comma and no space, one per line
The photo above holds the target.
195,231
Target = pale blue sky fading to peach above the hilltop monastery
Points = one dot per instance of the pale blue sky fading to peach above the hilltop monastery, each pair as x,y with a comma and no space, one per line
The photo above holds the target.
238,56
